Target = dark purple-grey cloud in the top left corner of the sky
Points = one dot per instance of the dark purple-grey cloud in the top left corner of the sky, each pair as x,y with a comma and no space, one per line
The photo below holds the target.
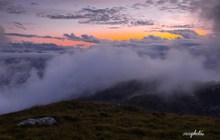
11,8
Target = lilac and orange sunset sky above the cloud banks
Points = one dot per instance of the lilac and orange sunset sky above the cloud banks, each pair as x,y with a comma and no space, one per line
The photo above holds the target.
47,21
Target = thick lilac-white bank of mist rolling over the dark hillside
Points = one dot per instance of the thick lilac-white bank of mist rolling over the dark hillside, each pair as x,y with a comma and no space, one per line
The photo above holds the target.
83,72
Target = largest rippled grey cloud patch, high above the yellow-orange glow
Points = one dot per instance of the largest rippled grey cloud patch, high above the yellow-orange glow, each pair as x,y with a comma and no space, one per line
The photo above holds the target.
107,16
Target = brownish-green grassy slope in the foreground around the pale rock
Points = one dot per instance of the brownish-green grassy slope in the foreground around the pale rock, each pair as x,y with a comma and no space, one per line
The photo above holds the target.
79,120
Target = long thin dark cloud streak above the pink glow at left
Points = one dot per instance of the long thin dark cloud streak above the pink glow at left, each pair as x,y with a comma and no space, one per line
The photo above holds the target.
33,36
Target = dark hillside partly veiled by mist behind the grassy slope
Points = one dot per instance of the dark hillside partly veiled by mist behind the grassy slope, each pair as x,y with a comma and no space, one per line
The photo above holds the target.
204,99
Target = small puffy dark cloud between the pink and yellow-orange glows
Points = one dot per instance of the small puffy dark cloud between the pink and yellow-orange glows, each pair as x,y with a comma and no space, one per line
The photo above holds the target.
84,38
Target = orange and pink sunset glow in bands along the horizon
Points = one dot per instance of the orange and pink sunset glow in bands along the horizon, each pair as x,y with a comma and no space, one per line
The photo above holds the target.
118,34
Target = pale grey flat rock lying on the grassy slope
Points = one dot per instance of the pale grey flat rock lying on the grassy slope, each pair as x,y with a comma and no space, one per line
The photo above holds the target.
38,121
